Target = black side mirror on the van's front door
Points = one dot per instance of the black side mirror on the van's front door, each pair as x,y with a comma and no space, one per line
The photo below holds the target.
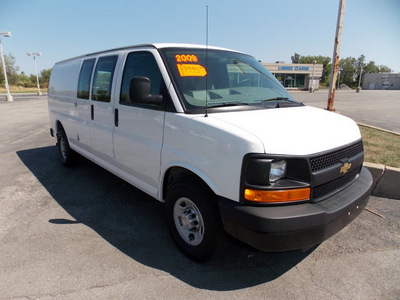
140,91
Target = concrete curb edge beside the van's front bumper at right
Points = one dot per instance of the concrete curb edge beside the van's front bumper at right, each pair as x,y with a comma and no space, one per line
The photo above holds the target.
386,180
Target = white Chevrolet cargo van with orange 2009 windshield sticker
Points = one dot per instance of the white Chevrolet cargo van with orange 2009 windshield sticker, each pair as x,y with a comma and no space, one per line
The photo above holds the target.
212,134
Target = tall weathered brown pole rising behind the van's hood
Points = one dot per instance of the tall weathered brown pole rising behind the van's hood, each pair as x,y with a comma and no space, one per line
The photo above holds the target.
335,58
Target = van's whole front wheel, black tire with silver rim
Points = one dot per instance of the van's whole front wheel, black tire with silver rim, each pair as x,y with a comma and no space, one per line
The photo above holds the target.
193,219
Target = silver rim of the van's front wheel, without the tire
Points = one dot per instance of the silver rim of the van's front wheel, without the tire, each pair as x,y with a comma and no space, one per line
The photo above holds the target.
188,221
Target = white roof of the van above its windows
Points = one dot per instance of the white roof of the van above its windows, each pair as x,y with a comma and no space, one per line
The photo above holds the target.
155,45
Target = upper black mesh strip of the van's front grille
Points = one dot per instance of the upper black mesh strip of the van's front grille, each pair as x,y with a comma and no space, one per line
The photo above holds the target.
324,161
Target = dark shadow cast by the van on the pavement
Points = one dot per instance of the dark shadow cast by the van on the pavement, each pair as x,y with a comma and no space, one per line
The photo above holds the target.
133,222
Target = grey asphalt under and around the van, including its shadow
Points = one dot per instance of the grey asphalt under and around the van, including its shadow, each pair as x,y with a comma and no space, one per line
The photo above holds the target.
82,233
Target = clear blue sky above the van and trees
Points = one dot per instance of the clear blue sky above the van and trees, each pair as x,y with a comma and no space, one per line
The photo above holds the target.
270,30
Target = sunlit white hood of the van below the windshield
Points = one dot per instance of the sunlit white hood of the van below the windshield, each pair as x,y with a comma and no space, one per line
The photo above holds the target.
294,130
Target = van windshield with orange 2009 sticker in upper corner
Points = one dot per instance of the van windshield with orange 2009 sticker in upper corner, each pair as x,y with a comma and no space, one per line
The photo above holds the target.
218,78
